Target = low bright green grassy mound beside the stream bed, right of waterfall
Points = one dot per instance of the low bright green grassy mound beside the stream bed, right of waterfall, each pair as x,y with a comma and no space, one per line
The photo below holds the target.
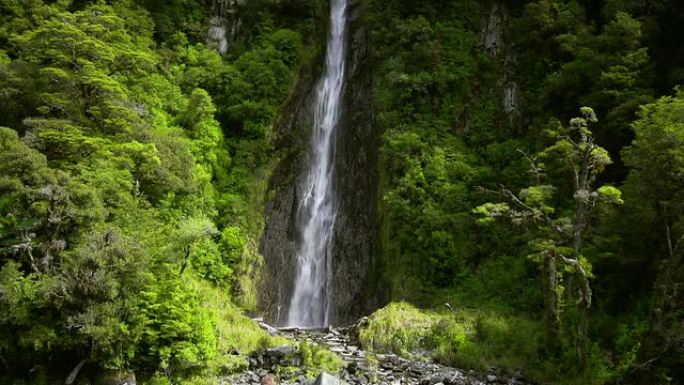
466,338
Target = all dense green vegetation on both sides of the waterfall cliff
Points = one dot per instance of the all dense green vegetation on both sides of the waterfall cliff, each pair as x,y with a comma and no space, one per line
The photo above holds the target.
134,161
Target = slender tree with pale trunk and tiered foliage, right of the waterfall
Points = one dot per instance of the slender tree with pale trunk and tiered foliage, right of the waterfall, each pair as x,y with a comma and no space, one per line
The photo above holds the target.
561,231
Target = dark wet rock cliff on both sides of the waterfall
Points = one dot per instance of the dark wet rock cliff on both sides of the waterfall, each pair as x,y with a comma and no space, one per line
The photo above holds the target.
355,236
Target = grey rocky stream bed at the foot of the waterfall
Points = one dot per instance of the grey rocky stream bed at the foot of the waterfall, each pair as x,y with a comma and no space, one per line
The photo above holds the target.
360,367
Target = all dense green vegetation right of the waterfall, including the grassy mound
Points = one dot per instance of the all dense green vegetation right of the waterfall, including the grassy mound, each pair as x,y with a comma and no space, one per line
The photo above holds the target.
503,200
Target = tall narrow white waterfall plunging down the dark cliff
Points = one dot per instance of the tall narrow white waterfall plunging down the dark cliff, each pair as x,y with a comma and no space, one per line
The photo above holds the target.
310,304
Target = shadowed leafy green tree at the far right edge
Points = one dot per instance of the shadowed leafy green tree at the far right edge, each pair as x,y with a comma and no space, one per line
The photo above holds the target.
653,196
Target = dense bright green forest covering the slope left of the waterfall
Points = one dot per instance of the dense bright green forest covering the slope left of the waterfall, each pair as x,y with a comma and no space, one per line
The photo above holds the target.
131,164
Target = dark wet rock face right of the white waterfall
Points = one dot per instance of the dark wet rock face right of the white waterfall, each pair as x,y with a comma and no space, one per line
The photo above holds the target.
355,236
